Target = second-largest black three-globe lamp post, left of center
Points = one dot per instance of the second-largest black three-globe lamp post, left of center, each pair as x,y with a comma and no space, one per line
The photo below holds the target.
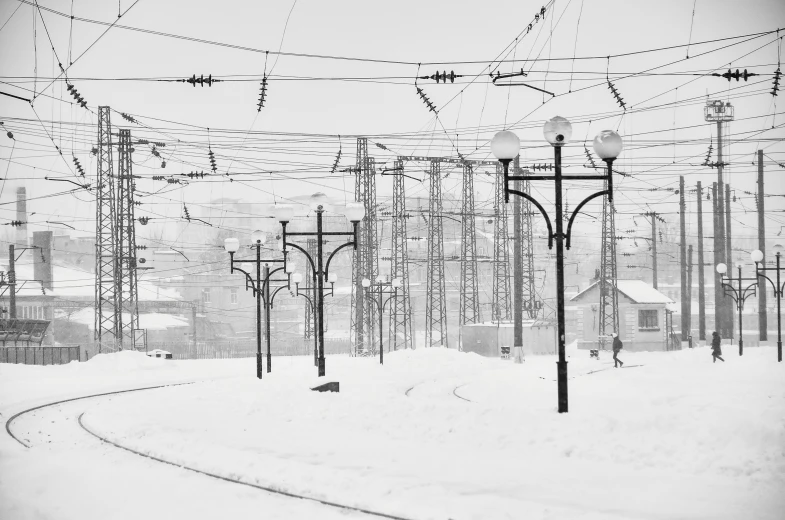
355,213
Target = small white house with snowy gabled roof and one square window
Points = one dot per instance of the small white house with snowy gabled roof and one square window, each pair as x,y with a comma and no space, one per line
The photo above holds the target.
644,317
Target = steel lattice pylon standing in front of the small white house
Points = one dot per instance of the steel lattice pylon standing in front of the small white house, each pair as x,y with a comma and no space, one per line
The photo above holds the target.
609,296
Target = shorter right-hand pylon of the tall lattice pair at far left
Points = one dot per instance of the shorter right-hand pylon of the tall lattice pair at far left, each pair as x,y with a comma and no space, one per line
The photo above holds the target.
126,289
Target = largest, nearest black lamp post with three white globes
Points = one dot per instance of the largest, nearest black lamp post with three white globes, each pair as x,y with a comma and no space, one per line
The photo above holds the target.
557,131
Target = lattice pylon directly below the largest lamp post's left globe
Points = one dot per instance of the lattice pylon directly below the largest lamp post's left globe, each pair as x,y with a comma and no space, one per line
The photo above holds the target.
501,258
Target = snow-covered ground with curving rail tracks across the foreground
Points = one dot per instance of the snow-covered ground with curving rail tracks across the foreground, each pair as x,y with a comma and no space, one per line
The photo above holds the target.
433,433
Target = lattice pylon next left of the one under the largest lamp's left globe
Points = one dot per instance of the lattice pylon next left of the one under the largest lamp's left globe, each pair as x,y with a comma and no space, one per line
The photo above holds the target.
469,294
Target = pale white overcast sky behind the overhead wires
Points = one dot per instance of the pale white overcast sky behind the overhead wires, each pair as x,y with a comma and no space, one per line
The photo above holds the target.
388,111
